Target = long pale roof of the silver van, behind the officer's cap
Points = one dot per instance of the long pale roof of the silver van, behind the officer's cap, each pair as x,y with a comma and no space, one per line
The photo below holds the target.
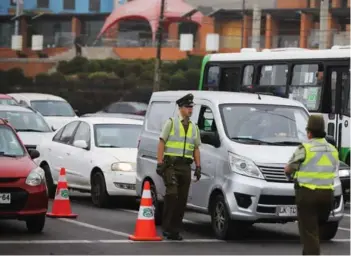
219,97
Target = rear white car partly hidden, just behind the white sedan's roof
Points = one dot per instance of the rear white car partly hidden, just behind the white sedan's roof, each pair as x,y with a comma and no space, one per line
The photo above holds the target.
56,110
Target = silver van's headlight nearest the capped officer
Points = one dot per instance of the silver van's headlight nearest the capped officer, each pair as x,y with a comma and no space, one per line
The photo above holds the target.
244,166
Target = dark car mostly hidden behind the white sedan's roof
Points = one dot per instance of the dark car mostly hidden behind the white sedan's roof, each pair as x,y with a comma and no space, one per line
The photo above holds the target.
126,107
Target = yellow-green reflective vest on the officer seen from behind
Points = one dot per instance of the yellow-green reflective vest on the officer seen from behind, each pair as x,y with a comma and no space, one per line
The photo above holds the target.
318,169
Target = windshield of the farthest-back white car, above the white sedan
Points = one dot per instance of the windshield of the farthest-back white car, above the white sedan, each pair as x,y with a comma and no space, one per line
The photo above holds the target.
53,107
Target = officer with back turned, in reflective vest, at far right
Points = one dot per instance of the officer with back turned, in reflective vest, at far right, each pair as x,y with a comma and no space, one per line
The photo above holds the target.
313,168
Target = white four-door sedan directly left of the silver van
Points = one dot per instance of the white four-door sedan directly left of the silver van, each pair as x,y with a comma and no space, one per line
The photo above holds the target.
99,155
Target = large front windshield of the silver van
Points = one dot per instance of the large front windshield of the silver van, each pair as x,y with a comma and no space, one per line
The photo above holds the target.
264,124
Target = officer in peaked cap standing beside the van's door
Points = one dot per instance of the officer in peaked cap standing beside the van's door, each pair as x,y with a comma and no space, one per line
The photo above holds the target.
177,149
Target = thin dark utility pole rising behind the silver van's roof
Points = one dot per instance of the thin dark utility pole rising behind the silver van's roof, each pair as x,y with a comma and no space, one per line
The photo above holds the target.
159,38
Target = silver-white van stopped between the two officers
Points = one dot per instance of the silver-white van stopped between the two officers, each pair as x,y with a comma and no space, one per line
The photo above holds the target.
247,139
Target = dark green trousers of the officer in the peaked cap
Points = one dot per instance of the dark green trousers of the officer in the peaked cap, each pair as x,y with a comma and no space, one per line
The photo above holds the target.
177,179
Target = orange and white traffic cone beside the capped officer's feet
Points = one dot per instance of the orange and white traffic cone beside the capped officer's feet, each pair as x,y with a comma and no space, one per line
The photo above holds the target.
145,229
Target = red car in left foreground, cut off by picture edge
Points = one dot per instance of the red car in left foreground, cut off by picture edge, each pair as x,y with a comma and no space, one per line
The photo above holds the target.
23,190
